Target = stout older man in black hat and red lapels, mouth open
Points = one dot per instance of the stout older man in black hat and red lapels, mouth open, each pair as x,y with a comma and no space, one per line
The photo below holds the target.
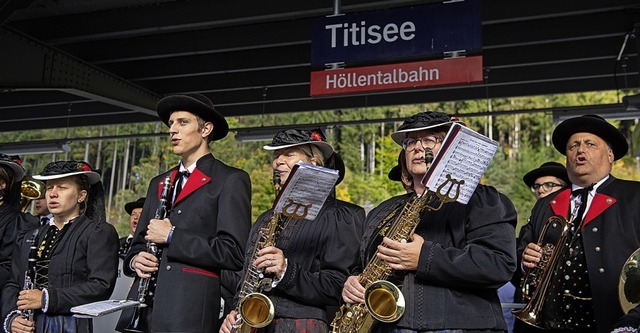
602,232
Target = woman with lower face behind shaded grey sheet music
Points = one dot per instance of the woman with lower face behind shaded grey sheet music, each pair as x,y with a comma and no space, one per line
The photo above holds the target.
310,259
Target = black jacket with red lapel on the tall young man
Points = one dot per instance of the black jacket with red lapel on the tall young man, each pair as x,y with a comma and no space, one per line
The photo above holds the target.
212,219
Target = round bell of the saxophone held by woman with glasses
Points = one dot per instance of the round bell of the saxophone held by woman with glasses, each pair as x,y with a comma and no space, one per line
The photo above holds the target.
384,301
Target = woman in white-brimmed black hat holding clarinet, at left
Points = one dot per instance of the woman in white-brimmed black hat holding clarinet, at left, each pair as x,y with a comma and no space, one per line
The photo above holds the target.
76,260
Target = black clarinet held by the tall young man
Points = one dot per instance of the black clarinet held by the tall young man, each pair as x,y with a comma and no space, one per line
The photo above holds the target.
146,287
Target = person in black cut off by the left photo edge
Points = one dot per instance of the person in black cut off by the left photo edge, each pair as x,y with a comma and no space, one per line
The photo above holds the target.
10,173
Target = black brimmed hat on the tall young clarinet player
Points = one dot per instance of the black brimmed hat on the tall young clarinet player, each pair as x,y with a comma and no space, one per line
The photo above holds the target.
197,104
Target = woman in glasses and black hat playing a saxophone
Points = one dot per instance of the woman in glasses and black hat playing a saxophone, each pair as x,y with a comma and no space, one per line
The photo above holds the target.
459,255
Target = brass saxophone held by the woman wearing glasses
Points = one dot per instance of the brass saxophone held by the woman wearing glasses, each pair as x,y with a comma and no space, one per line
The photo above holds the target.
384,301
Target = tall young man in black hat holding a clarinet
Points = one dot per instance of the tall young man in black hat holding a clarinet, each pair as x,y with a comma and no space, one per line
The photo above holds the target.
206,230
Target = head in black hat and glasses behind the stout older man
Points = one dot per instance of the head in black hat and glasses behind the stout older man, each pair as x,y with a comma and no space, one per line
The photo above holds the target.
548,178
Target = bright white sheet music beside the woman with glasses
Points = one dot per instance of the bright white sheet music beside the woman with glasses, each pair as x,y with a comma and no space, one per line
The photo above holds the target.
465,155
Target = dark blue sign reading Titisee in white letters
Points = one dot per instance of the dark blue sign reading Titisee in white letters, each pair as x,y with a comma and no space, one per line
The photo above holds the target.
397,34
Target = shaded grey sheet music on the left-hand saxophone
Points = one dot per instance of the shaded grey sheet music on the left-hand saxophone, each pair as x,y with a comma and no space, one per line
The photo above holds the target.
305,191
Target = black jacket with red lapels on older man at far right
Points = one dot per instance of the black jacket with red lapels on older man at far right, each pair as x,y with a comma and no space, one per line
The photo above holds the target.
610,233
